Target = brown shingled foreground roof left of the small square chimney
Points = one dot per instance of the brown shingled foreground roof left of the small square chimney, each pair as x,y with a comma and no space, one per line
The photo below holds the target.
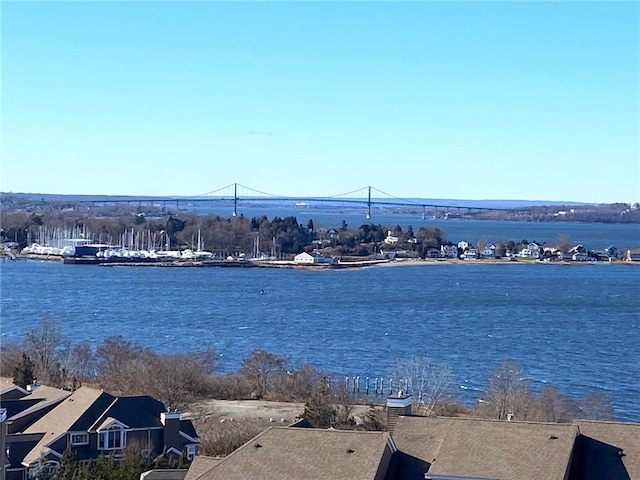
283,453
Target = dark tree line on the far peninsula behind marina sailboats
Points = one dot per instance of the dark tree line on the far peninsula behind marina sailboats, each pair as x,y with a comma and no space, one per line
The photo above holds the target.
278,237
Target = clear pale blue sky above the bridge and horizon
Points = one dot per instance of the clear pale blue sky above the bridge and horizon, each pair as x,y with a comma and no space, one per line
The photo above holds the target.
482,100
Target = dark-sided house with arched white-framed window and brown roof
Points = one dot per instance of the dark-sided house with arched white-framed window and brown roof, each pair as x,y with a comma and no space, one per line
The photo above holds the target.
93,422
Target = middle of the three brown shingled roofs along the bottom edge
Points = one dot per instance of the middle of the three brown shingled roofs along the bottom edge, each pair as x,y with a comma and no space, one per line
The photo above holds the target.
464,447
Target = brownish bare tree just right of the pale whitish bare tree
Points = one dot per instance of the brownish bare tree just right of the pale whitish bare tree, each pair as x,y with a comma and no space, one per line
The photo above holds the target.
507,394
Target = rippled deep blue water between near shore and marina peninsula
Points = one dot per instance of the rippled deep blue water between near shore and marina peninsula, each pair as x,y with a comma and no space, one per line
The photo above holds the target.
573,327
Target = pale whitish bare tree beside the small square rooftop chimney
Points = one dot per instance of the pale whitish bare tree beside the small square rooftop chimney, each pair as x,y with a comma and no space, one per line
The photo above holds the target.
427,382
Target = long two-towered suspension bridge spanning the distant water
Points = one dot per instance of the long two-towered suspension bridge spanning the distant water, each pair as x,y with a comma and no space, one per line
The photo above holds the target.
237,194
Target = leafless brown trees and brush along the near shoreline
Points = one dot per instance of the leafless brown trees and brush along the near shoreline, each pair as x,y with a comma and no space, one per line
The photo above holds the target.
123,367
